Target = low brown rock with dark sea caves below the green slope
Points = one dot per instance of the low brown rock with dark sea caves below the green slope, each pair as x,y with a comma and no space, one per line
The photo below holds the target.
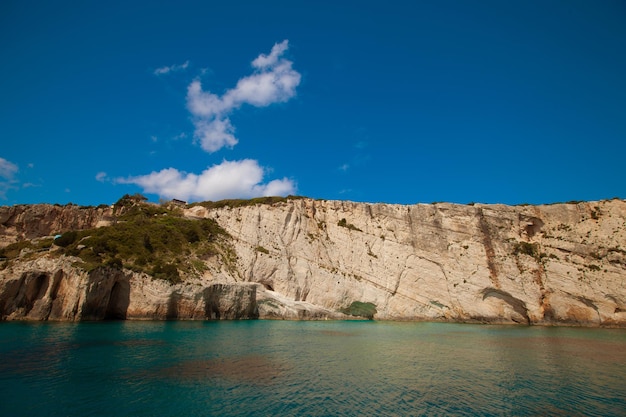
53,289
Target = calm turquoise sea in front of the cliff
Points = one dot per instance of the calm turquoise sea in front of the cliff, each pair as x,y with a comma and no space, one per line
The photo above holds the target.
291,368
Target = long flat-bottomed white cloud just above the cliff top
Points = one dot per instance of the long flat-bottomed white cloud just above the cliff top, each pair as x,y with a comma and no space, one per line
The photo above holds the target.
230,179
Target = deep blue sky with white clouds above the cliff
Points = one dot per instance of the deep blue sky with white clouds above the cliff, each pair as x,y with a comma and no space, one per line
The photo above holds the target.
396,101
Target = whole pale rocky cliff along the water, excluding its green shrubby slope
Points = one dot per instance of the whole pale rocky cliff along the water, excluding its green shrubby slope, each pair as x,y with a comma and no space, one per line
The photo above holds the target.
551,264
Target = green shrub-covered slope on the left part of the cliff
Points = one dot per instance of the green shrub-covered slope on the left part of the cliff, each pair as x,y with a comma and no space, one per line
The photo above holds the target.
143,237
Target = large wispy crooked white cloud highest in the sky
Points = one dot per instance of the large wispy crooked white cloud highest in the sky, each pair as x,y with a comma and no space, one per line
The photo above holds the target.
274,81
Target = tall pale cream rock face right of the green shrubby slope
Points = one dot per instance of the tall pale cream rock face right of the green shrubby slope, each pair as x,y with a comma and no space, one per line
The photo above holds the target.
563,263
